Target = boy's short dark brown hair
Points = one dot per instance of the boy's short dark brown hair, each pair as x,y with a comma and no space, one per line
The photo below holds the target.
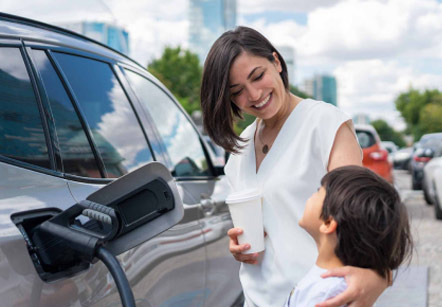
373,229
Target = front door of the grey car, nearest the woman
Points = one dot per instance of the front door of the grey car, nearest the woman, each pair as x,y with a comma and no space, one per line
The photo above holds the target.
203,192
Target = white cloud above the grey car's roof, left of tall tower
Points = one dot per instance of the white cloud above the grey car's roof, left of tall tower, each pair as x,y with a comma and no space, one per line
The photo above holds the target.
151,24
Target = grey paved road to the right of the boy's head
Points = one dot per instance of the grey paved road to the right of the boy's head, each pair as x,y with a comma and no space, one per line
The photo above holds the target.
427,236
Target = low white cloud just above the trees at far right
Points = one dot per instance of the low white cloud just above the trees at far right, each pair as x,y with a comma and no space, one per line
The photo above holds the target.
371,87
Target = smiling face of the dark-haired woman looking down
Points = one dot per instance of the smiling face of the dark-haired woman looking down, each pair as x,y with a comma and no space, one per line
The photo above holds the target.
256,86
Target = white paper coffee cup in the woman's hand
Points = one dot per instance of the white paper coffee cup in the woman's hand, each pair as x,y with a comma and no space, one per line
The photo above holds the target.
246,211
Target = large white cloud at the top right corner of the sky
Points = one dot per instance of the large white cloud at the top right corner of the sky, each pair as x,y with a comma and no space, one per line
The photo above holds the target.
372,29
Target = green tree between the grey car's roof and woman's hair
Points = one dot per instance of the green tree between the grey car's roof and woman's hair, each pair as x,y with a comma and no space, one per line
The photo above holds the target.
180,72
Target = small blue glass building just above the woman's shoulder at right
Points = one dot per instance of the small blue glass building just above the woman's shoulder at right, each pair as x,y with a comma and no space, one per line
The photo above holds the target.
322,87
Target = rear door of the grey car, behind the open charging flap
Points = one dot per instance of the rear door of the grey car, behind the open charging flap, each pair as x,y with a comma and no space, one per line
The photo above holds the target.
100,137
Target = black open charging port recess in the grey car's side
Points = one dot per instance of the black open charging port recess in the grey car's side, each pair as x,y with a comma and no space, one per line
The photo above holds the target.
28,222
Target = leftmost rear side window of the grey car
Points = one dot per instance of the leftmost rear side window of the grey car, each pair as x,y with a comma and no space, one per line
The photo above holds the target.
21,131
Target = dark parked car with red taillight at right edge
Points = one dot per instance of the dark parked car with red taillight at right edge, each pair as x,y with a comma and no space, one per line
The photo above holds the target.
423,153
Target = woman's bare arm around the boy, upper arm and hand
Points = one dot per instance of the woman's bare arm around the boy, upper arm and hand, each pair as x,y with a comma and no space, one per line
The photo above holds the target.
364,285
